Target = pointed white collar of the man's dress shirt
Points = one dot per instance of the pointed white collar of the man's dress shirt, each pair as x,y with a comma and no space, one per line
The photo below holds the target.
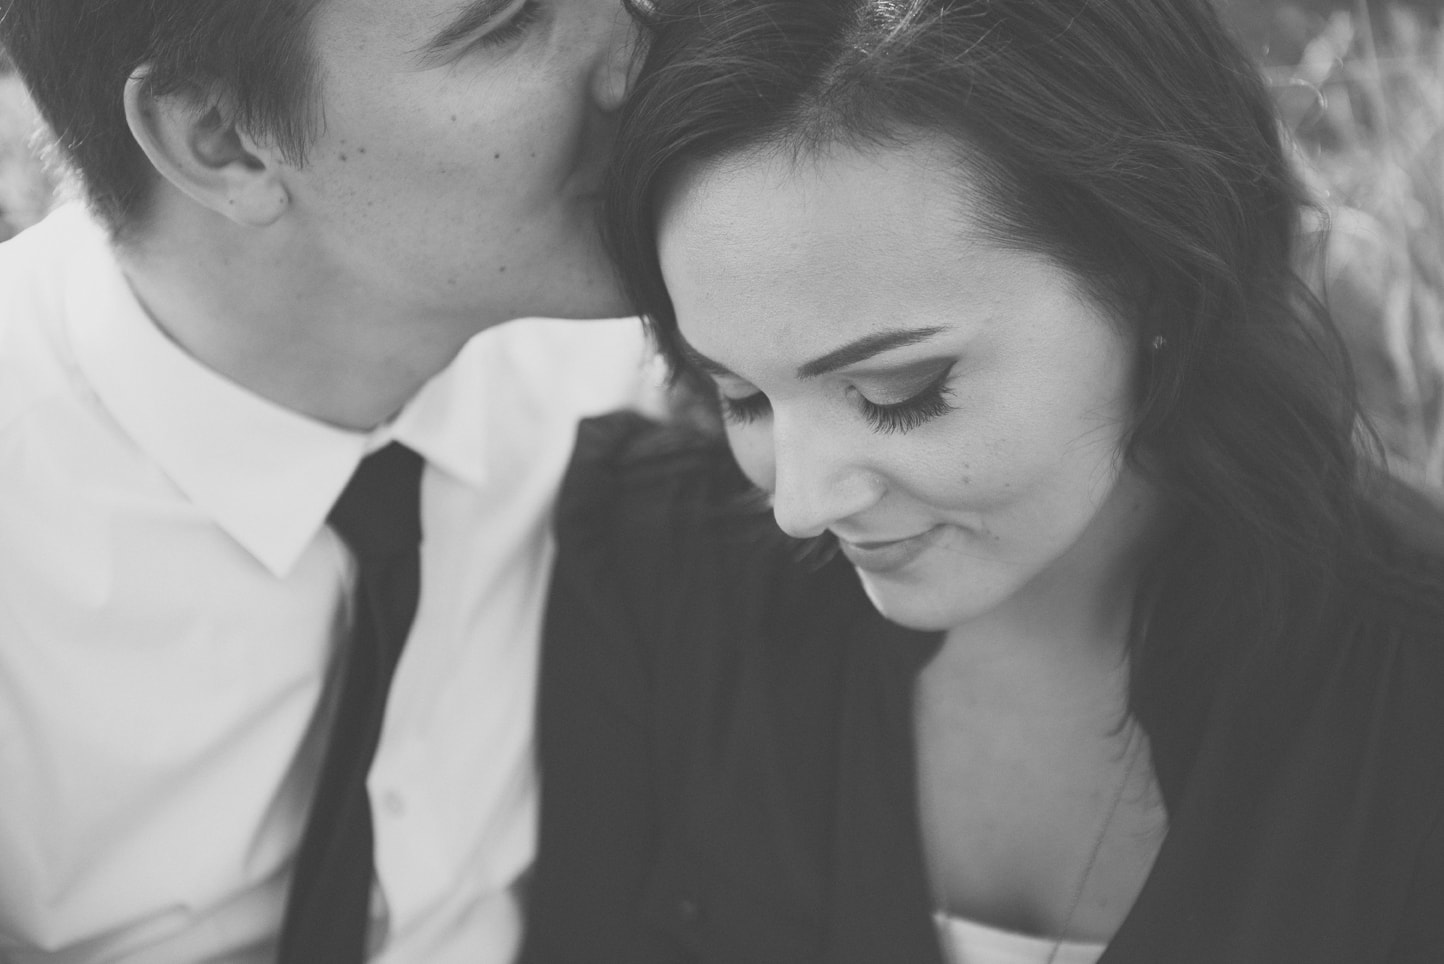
262,473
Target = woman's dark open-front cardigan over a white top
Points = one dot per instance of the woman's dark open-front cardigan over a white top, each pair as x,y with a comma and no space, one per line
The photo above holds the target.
728,764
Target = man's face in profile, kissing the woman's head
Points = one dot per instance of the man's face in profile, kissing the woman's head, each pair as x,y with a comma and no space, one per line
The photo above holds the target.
458,170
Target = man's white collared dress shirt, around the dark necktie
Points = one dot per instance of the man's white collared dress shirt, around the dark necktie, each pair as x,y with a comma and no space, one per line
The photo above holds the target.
170,598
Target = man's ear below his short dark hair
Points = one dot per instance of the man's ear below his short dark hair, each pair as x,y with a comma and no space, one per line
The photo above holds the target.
200,151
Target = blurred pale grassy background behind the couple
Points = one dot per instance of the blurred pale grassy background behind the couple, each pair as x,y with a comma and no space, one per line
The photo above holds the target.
1361,90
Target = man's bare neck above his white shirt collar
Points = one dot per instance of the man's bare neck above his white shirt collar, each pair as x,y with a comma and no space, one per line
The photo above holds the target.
255,308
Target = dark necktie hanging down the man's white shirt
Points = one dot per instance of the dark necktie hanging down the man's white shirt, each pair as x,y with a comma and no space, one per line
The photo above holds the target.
379,519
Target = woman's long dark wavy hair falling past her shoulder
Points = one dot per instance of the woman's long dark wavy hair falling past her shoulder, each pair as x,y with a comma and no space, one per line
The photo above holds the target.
1136,145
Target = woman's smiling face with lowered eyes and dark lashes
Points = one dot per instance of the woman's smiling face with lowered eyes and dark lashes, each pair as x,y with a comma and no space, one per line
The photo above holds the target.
952,411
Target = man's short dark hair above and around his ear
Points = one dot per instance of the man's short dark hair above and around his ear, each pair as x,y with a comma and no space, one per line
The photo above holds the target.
253,57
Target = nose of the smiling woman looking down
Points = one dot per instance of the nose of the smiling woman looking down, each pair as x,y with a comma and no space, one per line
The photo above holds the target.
818,481
